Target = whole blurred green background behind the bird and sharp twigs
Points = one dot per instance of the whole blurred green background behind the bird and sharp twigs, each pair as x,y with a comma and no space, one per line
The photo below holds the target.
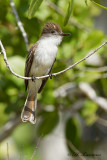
67,115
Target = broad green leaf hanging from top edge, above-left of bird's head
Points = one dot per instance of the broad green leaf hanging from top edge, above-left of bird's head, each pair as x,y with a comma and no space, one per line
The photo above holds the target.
34,5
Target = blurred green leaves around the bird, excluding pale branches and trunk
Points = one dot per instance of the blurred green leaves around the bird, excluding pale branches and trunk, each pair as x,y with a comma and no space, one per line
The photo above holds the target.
72,49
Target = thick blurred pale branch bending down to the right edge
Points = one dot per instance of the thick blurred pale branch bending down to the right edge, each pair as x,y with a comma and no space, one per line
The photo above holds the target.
70,89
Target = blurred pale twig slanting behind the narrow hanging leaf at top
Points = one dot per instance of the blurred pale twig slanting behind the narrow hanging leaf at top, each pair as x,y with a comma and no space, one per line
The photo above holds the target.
71,20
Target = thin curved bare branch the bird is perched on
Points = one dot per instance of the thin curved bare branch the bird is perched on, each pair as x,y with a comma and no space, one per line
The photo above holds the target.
53,74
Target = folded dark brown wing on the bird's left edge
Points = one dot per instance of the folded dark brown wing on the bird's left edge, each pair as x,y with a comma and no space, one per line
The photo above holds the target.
29,62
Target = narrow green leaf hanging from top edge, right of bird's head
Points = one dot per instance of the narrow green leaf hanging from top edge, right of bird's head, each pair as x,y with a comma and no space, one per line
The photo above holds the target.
69,11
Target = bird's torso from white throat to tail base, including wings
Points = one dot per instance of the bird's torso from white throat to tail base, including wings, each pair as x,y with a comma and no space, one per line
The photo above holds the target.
40,61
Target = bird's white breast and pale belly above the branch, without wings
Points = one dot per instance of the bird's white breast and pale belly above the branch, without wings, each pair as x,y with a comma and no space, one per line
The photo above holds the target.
45,55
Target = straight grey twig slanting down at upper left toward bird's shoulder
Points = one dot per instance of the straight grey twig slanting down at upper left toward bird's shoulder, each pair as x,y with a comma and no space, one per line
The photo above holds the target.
19,23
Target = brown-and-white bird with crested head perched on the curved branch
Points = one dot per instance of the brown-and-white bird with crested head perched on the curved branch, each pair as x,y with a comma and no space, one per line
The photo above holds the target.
40,60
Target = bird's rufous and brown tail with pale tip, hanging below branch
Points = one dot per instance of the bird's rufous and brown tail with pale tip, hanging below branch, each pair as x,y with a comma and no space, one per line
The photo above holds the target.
28,112
